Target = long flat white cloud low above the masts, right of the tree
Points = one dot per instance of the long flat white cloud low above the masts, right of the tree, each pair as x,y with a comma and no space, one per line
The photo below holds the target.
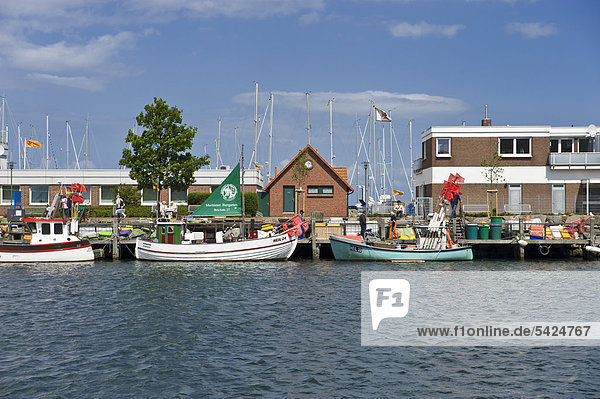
401,105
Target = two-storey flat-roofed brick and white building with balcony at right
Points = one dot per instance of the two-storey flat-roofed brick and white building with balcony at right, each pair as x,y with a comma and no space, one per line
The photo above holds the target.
545,169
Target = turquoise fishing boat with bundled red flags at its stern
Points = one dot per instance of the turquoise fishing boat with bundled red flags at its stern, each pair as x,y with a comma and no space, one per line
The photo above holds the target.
433,241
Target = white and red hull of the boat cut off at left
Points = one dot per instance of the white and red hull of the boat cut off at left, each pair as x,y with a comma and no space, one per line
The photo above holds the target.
71,251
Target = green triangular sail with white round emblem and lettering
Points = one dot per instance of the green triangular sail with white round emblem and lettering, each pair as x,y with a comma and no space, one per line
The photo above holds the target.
226,200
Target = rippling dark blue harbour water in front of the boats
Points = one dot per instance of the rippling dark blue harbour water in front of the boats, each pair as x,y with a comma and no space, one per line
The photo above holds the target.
133,329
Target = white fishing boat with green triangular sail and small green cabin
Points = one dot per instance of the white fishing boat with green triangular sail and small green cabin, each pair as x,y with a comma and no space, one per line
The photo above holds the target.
174,242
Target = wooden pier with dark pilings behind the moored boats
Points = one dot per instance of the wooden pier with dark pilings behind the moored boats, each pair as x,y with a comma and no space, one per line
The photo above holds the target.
316,245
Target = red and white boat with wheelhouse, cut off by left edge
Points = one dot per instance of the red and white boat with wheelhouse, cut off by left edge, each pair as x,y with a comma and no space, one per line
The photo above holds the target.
44,240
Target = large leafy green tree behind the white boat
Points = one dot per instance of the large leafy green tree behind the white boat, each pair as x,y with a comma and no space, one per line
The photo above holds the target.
160,155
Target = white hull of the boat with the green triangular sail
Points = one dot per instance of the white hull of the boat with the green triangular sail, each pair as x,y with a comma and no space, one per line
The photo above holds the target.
281,246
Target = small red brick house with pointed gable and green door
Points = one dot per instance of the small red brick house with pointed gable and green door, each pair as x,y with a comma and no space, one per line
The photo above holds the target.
309,183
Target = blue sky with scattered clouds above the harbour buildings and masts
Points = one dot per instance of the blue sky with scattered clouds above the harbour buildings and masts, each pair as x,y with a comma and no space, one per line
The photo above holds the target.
435,62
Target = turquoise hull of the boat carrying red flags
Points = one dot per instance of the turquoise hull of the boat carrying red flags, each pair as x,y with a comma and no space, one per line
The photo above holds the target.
348,249
